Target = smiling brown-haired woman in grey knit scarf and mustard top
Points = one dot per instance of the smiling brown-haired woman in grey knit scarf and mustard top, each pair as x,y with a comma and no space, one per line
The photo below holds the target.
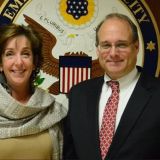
29,116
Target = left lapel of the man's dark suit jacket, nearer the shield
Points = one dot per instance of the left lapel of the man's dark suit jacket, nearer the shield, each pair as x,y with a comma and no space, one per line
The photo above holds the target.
92,115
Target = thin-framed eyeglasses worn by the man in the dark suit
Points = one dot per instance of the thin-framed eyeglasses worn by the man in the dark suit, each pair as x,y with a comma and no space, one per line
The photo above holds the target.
119,46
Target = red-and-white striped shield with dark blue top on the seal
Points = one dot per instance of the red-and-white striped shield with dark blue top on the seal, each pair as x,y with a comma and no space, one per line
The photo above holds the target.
73,69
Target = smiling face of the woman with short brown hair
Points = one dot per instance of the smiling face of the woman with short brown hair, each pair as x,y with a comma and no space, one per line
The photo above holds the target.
17,61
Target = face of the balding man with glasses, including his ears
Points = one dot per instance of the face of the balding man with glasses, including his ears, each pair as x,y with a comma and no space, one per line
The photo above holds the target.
116,51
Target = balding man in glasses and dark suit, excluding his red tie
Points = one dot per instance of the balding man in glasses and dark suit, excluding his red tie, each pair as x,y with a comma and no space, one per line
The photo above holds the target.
137,121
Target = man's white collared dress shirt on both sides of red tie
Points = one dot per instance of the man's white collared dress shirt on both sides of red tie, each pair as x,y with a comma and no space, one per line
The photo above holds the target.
127,85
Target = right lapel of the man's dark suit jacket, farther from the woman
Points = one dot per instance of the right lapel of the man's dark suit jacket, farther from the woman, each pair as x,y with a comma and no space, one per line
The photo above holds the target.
132,112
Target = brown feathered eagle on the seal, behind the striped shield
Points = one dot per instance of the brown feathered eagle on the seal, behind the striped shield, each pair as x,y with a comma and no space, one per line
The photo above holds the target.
51,64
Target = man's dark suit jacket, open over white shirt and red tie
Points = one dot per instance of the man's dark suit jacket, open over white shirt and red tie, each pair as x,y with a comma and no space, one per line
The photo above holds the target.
138,134
